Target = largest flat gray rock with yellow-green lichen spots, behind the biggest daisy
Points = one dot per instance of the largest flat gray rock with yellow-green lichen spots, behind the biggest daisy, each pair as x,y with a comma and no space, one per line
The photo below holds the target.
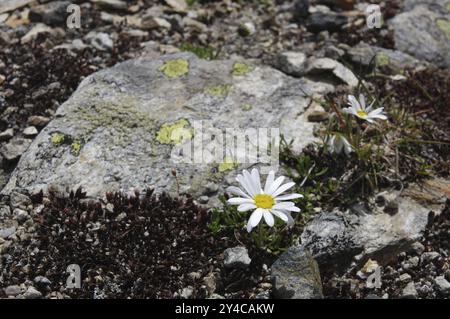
124,127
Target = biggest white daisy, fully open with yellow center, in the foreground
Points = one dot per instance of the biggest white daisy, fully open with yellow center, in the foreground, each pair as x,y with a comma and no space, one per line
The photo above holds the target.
267,202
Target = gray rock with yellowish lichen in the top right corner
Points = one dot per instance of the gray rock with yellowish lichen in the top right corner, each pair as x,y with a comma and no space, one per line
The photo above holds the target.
423,30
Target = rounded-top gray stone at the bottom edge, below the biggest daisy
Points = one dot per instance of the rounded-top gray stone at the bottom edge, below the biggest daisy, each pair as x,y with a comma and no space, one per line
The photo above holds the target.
296,275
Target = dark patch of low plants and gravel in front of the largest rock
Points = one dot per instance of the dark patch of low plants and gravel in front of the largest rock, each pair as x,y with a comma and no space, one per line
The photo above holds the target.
153,247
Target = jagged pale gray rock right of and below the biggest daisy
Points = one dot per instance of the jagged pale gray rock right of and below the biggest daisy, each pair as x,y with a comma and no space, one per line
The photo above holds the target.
336,238
